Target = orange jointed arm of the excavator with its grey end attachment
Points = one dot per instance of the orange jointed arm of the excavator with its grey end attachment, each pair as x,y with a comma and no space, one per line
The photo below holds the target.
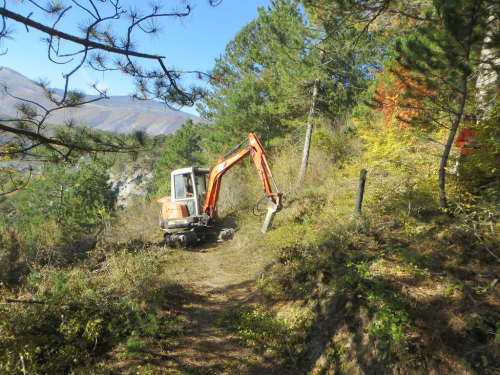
226,162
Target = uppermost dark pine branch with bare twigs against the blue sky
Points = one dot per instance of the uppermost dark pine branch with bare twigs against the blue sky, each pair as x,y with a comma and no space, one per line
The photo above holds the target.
99,40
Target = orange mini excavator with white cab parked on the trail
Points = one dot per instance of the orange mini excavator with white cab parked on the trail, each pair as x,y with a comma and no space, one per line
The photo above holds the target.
189,214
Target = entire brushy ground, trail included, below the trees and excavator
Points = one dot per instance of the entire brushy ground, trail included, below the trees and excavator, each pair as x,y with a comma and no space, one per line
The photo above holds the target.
402,288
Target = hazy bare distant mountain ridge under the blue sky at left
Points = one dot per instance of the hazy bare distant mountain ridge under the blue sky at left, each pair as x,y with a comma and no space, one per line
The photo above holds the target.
119,114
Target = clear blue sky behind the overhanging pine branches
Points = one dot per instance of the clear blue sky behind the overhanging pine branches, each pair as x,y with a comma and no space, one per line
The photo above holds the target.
191,43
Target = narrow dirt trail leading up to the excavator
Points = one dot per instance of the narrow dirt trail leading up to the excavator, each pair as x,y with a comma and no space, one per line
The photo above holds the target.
215,279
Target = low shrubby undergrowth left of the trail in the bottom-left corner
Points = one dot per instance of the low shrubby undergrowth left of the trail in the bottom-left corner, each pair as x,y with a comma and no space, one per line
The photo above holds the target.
61,321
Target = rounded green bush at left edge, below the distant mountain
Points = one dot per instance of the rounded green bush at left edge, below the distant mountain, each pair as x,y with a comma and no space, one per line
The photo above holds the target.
54,219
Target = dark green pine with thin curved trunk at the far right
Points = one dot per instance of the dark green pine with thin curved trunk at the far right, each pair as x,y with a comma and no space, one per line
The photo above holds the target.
444,52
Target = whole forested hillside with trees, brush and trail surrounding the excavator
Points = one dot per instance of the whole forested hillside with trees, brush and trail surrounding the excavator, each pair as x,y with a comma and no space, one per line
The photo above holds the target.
405,94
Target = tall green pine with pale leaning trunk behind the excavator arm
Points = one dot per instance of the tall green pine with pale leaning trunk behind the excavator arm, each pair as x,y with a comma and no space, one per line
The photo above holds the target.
279,75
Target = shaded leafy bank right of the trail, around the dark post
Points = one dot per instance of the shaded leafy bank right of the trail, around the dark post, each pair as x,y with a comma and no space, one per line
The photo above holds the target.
394,290
